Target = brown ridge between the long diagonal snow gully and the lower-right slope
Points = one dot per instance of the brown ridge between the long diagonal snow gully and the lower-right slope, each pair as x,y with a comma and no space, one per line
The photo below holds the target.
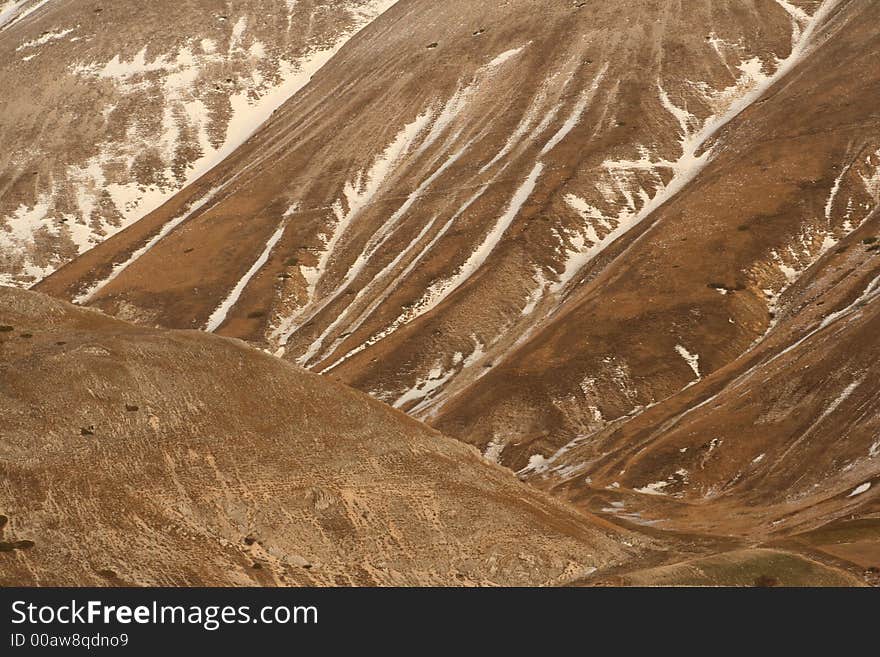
794,178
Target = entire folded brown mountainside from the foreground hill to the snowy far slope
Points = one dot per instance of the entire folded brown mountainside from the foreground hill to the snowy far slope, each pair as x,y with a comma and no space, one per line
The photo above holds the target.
627,249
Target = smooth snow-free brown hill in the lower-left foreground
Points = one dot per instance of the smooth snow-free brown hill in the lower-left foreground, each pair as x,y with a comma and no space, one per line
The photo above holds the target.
130,455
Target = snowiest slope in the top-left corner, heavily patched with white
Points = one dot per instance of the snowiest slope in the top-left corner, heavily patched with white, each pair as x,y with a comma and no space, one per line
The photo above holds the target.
110,108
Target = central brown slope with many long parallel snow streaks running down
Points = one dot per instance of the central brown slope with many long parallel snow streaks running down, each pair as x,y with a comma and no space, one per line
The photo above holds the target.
408,207
